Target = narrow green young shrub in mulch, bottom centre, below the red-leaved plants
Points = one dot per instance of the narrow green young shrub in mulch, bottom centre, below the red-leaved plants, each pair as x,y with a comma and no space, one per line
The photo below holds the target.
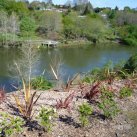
85,111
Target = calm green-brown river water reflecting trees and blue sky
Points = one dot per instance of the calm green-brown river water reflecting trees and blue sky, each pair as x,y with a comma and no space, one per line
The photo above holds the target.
72,60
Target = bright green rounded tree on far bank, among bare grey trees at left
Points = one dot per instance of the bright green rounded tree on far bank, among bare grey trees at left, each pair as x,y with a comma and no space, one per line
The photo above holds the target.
27,27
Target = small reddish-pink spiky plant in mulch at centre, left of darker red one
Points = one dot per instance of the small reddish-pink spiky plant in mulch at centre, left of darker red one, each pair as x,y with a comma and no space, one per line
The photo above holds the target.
65,104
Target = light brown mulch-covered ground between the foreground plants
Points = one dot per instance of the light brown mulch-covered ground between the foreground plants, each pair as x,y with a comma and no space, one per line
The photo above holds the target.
67,123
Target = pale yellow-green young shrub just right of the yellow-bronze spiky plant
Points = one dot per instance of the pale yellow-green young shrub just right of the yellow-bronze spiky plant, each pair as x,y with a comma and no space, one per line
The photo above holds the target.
45,117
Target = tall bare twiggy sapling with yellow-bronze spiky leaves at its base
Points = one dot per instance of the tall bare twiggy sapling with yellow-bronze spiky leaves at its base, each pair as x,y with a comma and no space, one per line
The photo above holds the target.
23,69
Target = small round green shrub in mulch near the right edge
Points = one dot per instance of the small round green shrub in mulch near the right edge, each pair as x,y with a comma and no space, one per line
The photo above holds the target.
125,92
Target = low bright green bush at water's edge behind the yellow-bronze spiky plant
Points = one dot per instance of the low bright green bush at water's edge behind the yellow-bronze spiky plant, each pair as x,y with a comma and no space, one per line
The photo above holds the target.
40,83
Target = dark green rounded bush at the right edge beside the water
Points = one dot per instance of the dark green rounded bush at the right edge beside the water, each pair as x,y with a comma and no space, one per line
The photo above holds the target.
131,65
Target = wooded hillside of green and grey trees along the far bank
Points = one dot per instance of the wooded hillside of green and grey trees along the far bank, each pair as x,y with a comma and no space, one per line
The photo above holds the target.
21,20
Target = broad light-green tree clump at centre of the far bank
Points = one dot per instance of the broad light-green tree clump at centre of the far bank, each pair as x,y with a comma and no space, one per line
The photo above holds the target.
88,27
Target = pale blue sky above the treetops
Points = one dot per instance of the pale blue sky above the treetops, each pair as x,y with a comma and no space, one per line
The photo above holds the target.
105,3
